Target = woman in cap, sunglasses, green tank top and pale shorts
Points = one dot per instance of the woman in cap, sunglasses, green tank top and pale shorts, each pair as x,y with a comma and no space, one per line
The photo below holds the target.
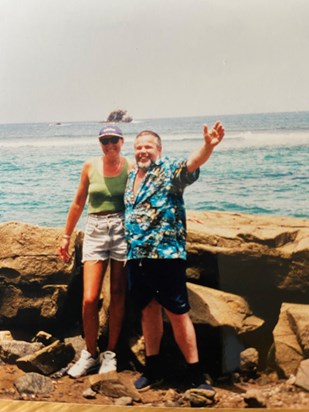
103,181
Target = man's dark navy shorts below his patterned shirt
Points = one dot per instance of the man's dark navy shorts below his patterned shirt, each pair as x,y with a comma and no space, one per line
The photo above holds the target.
161,279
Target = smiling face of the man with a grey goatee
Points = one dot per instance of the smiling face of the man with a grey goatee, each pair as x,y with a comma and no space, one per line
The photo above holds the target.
147,150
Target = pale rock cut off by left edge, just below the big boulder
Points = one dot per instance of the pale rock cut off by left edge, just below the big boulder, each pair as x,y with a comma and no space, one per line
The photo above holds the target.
11,350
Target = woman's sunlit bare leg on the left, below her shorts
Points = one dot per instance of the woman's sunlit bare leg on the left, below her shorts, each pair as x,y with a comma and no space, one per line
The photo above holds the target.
94,272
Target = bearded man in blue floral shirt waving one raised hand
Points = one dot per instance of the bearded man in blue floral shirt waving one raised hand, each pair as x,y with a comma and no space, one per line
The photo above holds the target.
156,233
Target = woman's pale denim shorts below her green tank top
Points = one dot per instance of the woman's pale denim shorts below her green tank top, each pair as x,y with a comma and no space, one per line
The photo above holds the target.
104,238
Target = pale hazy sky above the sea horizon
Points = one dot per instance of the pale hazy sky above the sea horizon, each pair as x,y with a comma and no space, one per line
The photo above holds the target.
77,60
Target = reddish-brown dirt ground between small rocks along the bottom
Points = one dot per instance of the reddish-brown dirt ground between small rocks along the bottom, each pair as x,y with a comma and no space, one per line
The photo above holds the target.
277,394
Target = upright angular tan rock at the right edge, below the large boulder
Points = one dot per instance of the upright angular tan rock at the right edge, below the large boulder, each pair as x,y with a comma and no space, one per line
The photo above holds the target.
291,337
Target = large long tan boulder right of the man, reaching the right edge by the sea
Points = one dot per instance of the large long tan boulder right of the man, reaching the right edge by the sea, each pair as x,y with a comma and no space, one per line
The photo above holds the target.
263,259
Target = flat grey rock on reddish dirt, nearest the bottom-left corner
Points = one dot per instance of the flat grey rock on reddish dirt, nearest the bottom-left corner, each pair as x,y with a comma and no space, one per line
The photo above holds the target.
34,383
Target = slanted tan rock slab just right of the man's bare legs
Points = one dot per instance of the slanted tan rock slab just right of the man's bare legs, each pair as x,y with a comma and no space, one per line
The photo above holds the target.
217,308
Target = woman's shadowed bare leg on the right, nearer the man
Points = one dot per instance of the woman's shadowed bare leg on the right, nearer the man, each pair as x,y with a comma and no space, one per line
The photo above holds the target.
117,302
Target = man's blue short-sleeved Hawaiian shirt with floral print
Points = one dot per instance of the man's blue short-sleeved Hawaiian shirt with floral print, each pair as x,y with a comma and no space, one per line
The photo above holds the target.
155,220
